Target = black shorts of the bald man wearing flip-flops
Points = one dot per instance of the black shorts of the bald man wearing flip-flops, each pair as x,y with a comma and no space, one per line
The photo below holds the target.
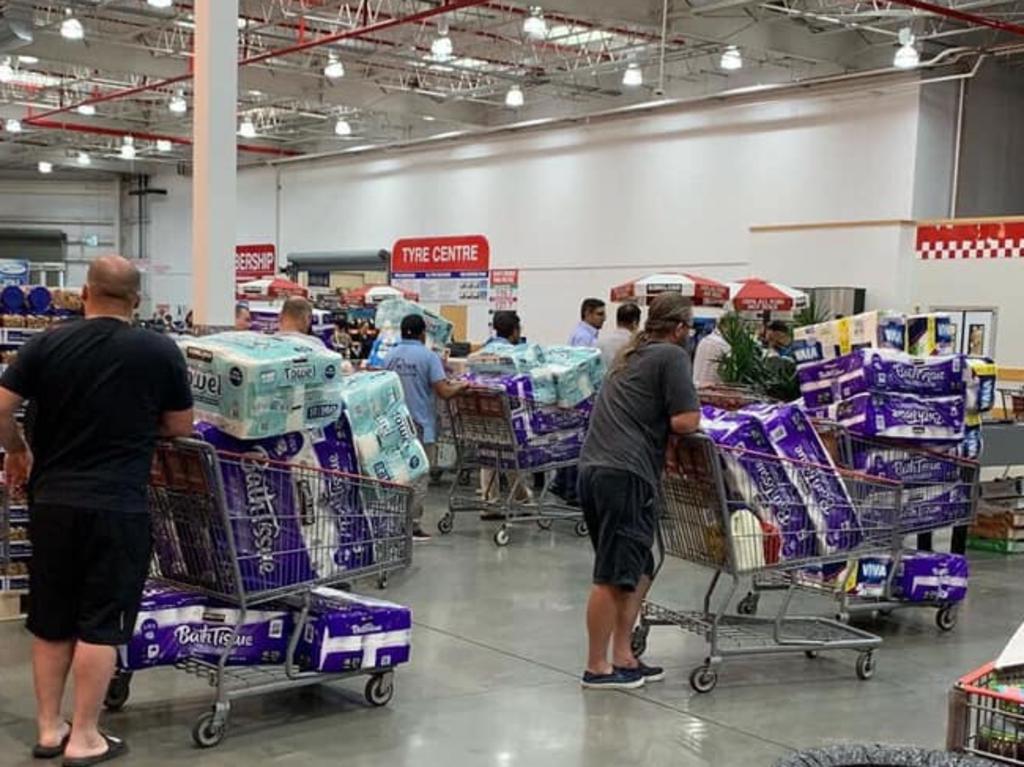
88,572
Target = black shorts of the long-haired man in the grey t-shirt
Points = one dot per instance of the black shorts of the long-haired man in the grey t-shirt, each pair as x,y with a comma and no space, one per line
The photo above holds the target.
620,512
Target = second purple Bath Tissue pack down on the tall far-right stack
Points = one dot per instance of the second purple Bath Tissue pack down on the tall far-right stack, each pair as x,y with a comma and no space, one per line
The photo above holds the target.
904,416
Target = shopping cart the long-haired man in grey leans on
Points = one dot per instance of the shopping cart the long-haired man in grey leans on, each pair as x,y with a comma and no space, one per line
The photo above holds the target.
855,515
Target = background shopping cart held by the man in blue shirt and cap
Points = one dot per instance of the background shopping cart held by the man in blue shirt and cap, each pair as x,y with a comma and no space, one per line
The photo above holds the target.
486,435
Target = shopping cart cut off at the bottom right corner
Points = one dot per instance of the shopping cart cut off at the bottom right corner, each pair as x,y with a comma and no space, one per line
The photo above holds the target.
986,720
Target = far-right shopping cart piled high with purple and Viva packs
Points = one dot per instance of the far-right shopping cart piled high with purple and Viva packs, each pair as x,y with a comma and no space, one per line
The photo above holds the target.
938,491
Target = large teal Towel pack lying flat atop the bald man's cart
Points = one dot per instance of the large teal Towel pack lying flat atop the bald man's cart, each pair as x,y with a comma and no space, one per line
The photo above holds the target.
252,386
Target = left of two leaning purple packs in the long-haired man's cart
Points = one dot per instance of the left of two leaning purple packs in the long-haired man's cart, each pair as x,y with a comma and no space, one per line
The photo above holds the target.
775,498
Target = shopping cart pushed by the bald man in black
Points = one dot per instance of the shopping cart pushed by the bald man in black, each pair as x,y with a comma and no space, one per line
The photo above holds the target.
249,532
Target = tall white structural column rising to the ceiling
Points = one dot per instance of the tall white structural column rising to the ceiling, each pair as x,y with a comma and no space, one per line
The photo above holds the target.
215,161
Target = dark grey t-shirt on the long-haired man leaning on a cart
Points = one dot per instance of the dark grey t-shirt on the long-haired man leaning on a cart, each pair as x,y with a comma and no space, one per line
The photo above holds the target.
630,427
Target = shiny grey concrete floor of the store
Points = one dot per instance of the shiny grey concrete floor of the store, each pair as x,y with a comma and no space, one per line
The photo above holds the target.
498,650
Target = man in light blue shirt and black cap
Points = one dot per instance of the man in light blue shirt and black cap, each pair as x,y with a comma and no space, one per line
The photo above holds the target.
422,378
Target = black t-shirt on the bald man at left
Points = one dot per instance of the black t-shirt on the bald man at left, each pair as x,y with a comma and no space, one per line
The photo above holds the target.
98,390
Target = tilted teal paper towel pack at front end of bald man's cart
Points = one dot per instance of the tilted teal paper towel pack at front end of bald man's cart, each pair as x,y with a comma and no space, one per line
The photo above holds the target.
383,432
